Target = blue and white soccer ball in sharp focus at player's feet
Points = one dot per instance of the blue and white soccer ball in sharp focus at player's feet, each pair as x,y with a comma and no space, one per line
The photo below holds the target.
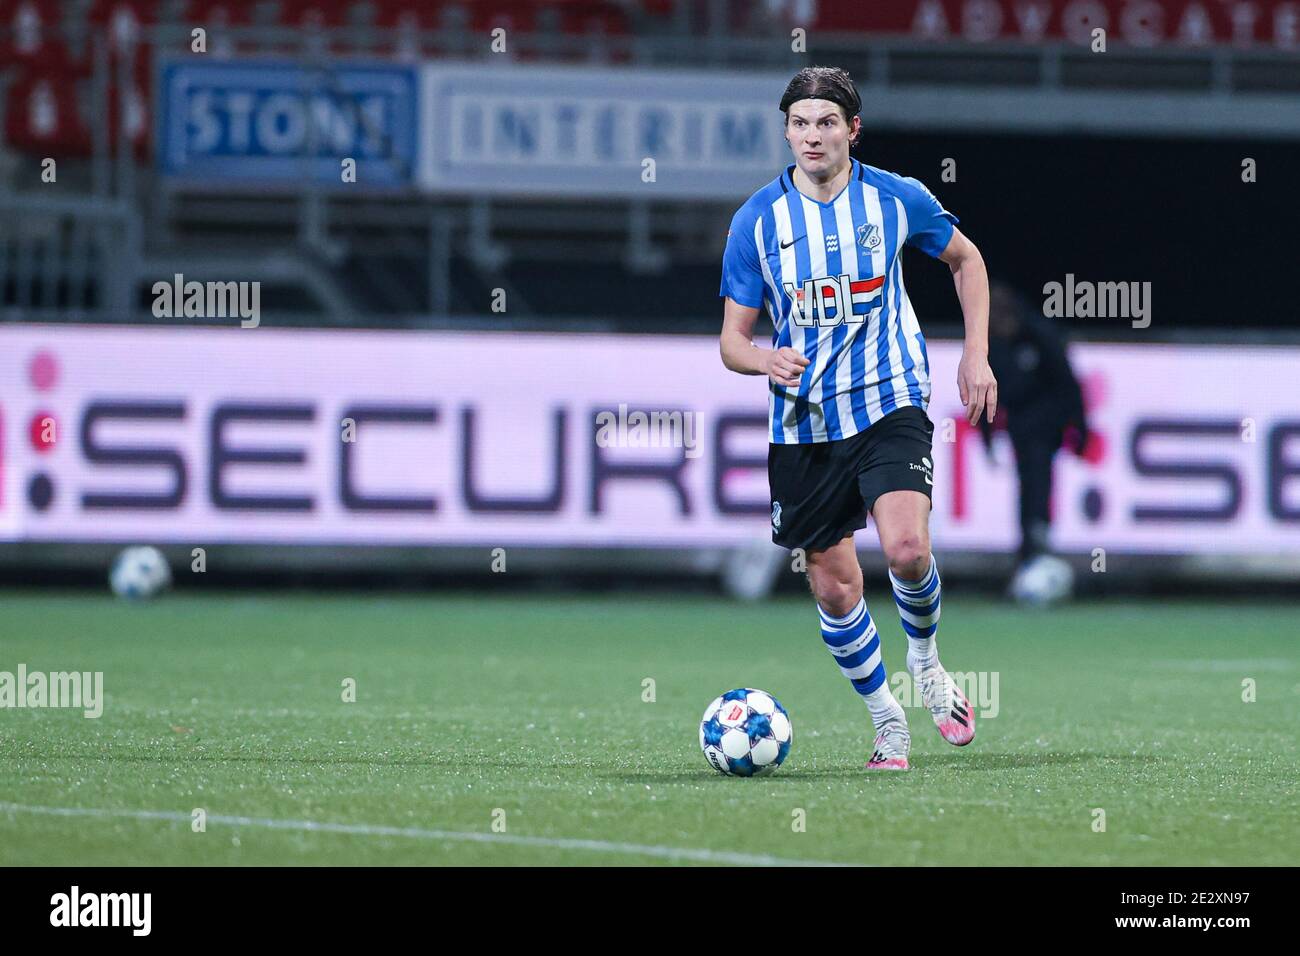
746,733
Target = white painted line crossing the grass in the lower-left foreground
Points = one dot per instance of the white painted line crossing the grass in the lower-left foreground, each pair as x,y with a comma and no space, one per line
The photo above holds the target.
709,856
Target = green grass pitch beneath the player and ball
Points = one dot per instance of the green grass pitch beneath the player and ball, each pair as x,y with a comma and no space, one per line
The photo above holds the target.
530,712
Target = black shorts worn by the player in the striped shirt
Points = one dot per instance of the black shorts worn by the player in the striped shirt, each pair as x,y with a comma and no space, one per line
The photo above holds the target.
825,491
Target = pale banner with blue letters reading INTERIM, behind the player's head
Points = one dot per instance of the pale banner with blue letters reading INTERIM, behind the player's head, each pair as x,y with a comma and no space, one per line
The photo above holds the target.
571,131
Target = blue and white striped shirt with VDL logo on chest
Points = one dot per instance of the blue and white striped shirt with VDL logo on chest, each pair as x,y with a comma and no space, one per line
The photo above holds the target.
831,275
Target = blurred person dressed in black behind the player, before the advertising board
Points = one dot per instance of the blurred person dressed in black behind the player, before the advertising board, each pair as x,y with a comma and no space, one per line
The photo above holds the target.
1042,406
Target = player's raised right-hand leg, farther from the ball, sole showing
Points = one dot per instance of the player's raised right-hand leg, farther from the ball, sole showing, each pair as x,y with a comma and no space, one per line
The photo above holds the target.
903,522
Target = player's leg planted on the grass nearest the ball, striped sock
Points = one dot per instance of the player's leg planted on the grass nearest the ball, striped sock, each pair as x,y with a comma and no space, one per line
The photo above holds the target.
851,635
